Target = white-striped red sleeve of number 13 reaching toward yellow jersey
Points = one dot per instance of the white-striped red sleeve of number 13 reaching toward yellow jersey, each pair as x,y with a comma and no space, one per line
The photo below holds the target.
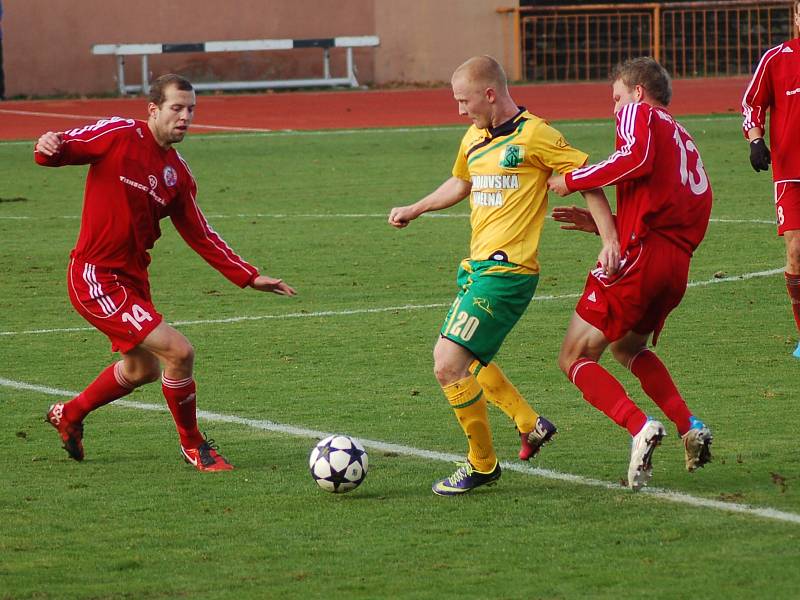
633,159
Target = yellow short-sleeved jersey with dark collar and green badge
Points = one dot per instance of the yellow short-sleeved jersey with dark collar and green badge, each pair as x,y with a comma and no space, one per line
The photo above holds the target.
508,167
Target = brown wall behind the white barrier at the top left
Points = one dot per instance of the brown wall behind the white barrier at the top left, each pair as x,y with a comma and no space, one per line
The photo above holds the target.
47,43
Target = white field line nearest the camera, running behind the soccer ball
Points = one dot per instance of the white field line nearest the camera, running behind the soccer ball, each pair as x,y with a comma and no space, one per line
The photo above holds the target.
662,494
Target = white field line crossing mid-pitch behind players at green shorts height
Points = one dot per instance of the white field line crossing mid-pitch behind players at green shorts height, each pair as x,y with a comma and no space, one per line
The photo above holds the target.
361,311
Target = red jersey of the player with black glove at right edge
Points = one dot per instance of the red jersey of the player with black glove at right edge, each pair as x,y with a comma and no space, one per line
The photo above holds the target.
776,86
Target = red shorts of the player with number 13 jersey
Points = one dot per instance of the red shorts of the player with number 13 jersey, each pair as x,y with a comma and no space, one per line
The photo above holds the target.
649,285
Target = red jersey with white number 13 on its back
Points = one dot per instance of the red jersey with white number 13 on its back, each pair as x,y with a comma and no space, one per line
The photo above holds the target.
662,187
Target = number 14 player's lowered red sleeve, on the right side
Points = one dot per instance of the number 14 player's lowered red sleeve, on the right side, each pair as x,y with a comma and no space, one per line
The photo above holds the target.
195,230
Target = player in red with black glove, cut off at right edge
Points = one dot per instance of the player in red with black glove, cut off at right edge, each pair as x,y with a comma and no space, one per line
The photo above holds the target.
775,87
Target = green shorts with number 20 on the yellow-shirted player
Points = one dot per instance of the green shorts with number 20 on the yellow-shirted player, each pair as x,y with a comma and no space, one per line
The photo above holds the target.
492,297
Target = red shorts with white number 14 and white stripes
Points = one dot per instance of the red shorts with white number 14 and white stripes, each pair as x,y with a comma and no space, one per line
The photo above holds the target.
114,304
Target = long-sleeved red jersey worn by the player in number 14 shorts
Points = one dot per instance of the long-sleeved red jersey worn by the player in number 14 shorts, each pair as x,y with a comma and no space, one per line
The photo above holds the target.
132,184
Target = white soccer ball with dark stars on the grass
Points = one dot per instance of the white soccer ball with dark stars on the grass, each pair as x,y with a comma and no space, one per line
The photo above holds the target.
338,464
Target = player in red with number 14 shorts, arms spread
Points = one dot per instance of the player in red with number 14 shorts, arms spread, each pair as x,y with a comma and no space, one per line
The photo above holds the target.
135,179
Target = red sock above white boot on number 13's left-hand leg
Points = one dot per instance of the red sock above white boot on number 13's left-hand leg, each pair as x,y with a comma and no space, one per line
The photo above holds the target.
606,394
